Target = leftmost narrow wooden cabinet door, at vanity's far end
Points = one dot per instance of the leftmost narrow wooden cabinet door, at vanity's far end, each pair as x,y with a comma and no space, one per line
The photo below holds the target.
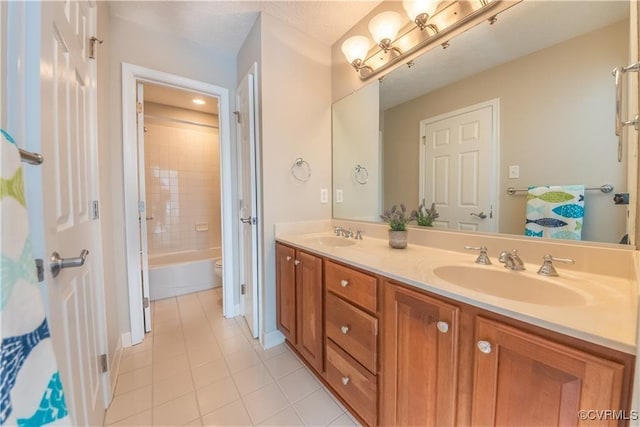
286,291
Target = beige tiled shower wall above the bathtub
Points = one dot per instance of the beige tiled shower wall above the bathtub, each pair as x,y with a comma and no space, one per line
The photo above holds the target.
182,173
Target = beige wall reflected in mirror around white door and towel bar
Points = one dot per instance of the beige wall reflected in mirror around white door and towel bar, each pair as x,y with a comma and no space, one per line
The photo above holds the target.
555,123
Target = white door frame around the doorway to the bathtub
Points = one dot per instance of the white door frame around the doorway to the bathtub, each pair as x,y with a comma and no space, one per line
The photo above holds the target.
131,74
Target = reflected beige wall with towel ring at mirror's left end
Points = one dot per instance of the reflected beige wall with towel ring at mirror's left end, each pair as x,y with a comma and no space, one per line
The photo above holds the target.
356,141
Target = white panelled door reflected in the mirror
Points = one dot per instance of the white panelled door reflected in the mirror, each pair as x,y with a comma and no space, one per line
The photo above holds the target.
457,167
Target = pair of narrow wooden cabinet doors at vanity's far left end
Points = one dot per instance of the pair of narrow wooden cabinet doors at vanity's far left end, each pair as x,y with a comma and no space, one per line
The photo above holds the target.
299,294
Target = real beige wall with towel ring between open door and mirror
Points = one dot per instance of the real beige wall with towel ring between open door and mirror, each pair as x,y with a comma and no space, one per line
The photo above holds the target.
296,122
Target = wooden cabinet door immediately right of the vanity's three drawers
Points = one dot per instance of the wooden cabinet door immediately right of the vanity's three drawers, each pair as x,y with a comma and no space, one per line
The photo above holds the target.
420,360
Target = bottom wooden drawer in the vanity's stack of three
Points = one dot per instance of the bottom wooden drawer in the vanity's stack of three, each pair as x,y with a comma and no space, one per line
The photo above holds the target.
352,382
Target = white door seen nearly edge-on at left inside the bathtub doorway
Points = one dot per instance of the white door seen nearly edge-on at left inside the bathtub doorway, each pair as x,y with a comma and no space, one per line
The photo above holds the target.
142,210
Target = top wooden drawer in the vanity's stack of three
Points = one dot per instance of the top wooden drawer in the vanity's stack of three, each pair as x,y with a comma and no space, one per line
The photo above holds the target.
352,285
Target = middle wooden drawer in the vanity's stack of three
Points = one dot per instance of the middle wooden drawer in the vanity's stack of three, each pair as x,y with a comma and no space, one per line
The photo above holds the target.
352,329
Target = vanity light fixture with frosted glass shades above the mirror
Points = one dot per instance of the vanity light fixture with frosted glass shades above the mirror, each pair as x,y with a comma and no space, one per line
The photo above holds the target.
393,43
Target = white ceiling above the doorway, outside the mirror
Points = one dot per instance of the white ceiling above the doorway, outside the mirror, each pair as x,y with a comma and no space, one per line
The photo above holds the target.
224,25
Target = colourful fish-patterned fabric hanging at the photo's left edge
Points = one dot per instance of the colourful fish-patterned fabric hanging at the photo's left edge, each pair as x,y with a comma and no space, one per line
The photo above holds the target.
31,391
